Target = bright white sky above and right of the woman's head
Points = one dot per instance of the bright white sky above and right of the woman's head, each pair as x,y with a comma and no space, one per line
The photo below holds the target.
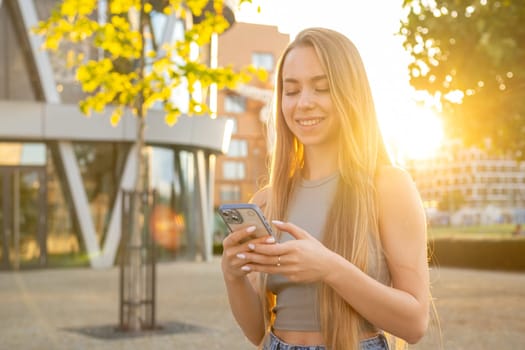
371,25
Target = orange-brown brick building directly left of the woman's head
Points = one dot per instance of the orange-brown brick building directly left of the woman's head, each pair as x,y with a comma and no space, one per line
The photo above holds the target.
240,173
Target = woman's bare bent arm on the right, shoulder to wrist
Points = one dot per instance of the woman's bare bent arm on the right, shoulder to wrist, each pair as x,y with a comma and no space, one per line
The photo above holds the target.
402,309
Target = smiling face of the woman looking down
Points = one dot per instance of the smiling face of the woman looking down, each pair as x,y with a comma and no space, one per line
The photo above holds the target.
306,101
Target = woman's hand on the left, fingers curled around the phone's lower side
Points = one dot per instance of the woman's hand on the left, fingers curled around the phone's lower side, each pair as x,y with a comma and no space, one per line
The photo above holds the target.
236,245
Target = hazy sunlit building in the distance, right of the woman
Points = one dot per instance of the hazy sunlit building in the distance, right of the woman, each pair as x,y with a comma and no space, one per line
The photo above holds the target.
471,185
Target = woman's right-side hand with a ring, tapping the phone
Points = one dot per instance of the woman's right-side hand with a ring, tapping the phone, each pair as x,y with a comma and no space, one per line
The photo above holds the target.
303,259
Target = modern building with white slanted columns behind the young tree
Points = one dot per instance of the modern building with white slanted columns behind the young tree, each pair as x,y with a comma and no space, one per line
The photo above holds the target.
62,174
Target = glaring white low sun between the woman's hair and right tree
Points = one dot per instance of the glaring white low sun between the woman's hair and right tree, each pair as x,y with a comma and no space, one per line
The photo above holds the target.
416,133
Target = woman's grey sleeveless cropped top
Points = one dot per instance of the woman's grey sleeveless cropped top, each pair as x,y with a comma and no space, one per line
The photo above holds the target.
297,307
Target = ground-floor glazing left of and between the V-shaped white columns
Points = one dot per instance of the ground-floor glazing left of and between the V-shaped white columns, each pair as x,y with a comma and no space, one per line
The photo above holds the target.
38,226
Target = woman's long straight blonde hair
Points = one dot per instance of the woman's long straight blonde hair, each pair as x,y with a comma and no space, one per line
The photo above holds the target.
353,217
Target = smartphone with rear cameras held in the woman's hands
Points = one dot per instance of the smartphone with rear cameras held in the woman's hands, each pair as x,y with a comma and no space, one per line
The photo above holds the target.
239,216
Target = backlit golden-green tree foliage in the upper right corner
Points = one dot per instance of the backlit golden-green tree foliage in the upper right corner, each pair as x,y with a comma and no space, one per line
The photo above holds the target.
469,55
